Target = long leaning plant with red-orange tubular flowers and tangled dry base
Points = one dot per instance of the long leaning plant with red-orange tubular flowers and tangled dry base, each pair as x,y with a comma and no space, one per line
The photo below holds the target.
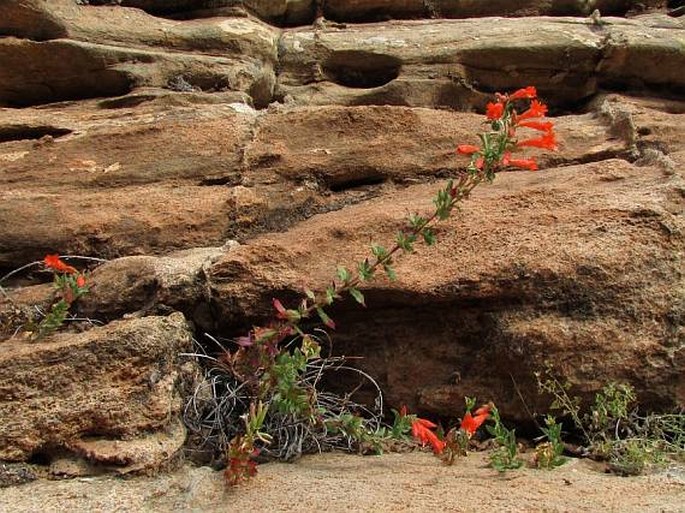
279,366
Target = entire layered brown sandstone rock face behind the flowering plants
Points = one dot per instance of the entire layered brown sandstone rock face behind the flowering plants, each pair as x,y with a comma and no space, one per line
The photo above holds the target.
220,156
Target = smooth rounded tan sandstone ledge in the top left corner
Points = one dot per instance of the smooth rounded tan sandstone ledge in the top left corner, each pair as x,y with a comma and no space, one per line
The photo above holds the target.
109,51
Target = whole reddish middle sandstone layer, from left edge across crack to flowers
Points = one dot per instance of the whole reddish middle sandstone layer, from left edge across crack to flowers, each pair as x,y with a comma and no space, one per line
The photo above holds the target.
139,181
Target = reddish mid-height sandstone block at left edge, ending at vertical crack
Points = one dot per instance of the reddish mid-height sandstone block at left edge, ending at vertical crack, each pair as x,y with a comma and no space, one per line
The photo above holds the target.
139,171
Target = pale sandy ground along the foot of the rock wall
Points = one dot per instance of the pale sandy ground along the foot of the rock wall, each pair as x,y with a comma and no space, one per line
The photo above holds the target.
344,483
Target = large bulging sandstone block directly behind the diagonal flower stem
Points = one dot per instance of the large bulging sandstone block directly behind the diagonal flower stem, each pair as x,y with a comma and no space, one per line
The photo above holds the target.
577,266
